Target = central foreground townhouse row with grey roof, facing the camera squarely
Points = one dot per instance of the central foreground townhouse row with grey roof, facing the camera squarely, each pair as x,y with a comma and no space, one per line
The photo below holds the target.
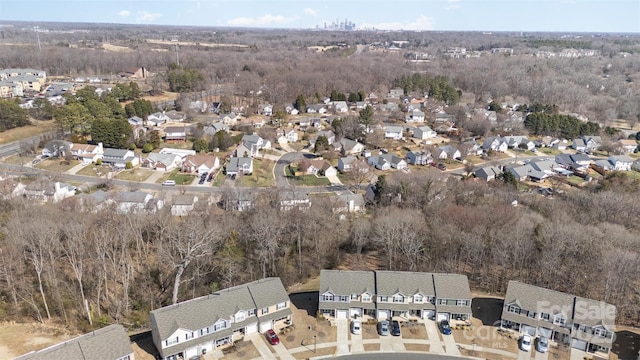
385,294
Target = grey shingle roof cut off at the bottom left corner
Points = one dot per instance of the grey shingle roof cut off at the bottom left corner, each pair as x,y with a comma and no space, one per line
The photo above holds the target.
109,343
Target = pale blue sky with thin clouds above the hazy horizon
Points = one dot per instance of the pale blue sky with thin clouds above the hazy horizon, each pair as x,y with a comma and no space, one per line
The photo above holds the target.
599,16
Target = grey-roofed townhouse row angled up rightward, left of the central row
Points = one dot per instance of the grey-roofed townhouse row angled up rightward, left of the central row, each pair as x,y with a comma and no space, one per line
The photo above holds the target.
191,328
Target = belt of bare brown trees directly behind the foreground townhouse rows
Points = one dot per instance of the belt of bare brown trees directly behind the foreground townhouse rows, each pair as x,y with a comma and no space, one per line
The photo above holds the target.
85,268
